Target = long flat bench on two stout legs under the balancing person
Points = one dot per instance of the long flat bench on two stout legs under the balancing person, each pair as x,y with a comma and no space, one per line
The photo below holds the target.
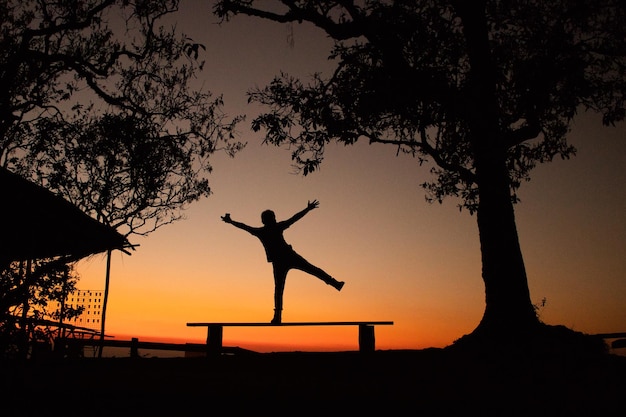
367,340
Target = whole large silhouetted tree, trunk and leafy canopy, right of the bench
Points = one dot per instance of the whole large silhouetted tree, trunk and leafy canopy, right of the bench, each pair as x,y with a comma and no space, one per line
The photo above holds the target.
484,90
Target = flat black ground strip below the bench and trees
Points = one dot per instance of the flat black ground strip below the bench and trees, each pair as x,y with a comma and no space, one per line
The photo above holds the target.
431,382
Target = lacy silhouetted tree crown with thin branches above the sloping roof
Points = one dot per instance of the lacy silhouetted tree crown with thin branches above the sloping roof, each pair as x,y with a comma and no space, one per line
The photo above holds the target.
97,103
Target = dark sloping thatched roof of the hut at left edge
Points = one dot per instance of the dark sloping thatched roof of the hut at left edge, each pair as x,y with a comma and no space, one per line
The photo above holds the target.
36,224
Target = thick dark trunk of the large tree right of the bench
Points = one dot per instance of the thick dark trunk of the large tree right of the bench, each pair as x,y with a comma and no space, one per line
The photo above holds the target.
508,309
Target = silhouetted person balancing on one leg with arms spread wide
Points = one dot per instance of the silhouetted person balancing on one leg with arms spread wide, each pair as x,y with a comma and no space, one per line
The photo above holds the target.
281,255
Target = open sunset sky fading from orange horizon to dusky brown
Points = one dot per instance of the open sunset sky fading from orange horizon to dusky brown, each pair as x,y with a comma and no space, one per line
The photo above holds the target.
402,259
